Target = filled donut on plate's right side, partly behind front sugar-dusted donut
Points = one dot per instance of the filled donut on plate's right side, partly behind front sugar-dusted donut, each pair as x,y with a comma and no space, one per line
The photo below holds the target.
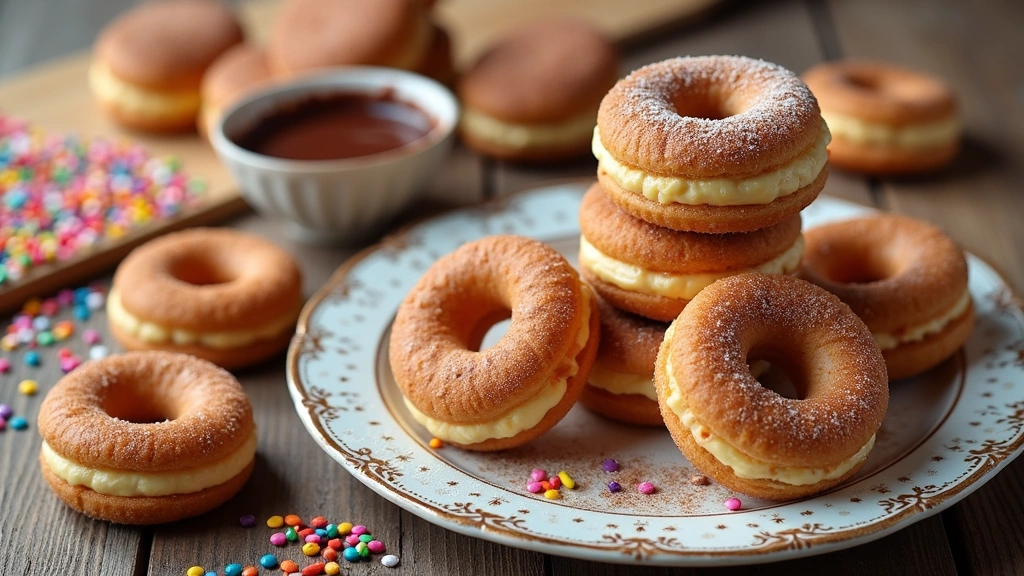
905,278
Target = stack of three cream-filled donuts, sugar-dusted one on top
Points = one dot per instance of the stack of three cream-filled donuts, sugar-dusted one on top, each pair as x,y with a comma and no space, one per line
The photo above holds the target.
705,164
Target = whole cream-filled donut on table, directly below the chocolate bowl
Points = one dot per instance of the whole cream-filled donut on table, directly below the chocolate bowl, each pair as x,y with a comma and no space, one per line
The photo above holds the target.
224,296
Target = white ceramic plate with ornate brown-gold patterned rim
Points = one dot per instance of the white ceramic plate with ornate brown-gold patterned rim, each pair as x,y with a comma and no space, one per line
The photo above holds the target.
946,435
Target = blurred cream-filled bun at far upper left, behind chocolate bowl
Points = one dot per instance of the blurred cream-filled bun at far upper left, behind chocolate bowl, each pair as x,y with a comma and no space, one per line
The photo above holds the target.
149,63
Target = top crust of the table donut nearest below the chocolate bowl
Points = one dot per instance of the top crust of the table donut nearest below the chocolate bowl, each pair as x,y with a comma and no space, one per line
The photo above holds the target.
209,280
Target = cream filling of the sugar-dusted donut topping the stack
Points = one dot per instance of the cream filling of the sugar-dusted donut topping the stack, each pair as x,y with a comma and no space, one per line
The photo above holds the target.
762,189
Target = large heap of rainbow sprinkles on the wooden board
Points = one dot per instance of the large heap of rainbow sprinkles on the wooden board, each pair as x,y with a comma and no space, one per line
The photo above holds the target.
63,194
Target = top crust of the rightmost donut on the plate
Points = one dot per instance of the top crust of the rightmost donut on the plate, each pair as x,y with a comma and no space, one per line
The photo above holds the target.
894,272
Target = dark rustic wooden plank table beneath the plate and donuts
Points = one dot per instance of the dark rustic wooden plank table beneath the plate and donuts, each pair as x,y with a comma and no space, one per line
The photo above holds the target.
974,46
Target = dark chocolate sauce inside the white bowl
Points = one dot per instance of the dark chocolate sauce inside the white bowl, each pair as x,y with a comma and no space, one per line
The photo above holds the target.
337,127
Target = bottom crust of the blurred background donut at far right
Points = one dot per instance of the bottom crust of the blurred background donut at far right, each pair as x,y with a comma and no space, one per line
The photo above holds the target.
889,160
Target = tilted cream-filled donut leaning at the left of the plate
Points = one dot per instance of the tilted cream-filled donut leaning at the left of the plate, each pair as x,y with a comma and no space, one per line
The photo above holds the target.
518,390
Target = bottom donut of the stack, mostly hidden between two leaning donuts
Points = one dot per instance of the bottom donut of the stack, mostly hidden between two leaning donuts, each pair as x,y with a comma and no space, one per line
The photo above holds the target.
622,382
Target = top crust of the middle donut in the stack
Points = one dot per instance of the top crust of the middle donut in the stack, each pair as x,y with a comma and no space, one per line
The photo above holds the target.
633,241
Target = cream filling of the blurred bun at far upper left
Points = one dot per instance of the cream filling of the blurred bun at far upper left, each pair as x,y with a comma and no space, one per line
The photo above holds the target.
138,101
